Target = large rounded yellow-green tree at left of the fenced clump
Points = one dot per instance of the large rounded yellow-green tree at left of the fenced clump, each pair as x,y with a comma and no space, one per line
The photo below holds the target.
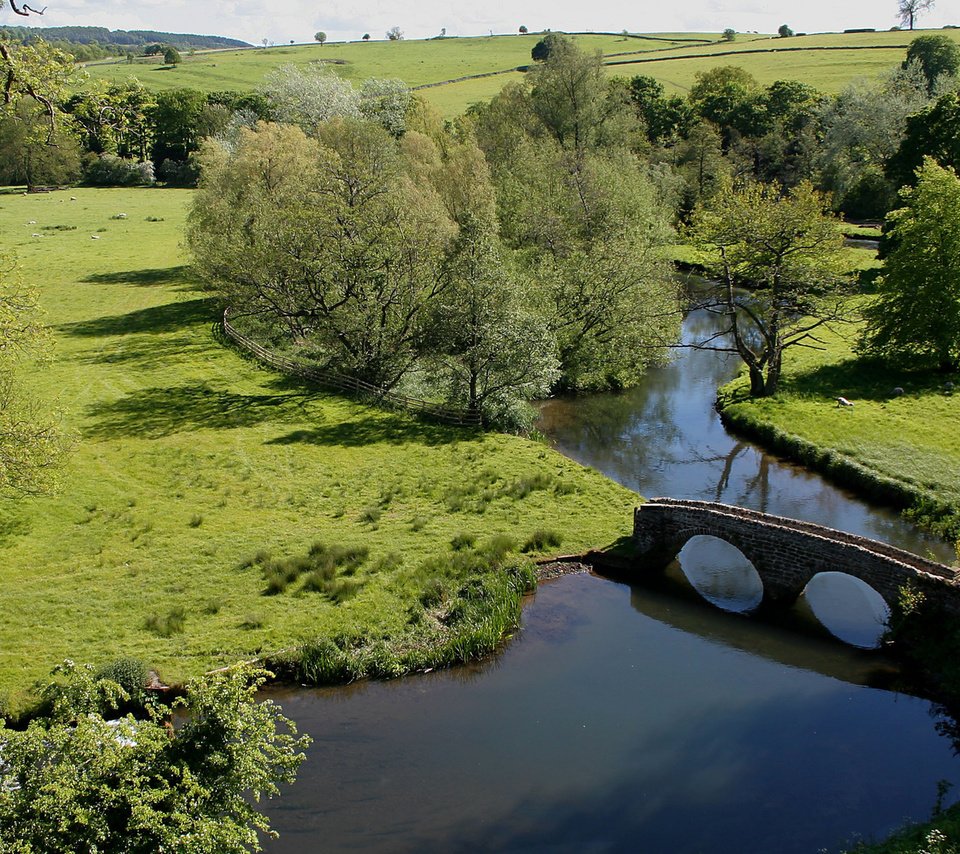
328,239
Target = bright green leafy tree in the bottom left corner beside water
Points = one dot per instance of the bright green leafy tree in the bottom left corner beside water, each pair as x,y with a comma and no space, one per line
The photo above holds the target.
77,781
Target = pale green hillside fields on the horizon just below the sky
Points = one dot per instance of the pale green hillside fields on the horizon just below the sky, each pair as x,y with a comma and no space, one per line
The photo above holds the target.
827,61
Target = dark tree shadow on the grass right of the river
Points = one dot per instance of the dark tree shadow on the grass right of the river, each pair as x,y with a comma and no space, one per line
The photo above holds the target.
863,379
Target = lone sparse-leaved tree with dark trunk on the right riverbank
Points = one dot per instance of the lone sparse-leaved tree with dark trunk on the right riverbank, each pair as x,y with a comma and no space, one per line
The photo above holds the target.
788,249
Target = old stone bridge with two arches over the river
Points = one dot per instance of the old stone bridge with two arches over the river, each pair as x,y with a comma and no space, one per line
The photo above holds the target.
787,553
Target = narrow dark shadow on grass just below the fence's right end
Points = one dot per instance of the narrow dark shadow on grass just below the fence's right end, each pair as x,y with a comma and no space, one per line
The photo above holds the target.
373,429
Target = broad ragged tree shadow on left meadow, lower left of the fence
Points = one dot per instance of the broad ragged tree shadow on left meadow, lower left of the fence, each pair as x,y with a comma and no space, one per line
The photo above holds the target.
165,410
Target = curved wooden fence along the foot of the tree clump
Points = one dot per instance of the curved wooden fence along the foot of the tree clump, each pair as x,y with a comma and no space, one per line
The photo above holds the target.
350,385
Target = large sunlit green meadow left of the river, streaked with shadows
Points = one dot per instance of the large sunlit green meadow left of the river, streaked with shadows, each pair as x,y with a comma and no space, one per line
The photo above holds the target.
196,473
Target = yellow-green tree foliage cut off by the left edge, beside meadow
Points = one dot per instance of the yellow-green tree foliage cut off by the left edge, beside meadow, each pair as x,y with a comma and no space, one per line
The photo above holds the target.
32,443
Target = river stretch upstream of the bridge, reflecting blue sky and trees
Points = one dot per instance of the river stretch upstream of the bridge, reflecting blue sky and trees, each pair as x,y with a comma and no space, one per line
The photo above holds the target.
665,438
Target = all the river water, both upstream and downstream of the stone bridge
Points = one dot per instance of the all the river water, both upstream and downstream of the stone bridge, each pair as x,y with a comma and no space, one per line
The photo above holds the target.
625,718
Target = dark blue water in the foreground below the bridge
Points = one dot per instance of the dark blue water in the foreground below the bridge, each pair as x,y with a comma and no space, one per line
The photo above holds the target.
620,719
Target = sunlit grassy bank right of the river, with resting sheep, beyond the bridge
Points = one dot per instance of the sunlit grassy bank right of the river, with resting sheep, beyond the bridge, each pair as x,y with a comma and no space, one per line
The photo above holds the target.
900,447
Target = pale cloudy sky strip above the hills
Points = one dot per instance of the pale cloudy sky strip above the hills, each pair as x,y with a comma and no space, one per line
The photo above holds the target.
254,20
